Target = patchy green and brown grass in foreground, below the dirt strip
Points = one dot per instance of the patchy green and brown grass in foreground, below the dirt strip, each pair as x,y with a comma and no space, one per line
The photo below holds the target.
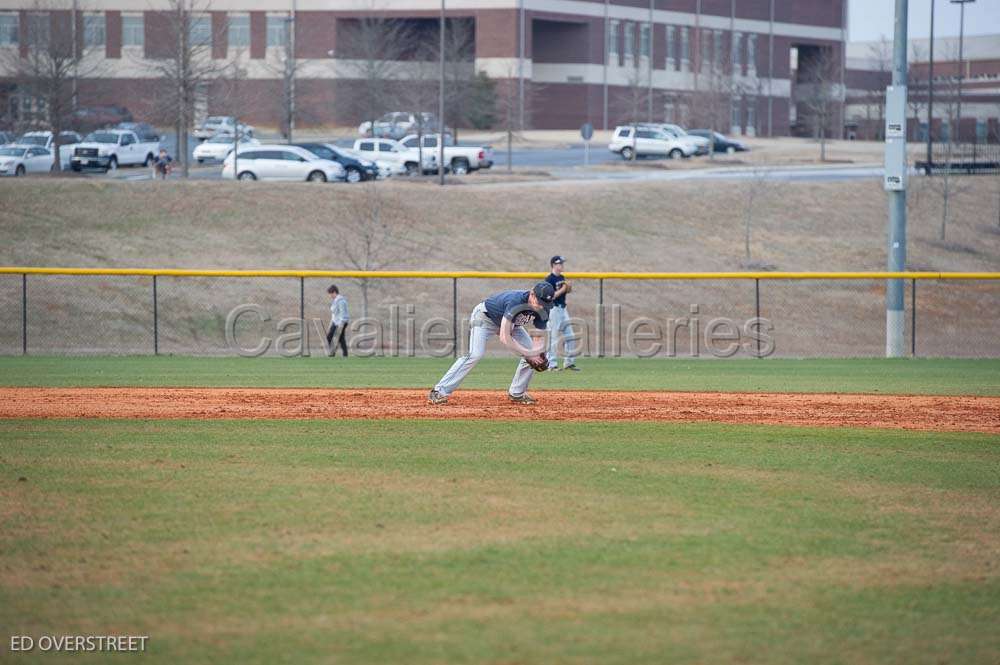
502,542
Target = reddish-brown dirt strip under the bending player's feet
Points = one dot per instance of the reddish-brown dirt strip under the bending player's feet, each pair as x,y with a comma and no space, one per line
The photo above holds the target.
979,414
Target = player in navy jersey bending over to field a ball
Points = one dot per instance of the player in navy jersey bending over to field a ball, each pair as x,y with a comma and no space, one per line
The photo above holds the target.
504,314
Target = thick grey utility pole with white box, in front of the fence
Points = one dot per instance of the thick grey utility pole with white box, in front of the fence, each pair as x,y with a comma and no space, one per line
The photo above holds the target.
895,185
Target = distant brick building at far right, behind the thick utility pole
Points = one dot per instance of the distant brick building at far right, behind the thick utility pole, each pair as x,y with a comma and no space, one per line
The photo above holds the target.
868,72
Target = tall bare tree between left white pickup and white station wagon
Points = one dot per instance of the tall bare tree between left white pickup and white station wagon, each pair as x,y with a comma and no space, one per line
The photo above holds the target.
187,69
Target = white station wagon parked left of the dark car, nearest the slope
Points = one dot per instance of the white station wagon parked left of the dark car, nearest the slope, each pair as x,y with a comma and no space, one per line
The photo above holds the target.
275,161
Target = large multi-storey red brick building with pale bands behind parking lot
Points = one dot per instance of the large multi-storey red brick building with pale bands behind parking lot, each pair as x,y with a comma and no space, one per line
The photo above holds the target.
740,65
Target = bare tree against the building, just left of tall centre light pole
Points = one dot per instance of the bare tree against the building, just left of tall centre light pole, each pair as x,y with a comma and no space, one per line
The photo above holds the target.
372,49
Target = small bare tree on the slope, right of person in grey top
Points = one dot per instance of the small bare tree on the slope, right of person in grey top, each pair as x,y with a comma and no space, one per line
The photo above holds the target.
369,239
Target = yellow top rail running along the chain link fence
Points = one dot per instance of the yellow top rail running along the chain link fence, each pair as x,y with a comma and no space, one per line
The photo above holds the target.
475,274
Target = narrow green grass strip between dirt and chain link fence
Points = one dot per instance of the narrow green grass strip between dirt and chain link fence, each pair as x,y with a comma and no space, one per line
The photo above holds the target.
904,376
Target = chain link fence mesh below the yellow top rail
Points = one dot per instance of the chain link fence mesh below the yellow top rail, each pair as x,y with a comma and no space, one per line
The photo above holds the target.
125,314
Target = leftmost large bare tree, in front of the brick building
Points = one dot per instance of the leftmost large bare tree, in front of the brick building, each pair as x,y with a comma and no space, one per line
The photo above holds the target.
46,68
